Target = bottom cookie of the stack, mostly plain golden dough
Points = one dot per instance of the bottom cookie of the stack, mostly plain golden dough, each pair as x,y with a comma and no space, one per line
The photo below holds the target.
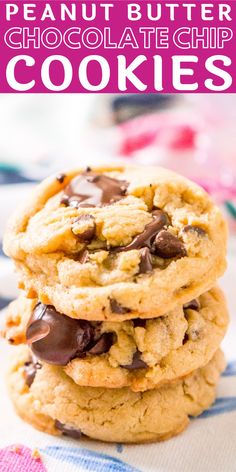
53,403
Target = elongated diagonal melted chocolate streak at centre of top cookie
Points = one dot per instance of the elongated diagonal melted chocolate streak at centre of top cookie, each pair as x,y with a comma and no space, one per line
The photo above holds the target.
146,238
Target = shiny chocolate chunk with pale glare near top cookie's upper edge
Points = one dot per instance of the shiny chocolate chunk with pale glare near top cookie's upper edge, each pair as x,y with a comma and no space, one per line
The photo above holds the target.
89,189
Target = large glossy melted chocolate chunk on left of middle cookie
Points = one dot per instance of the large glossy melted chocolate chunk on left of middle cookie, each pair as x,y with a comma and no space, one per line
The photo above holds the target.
64,339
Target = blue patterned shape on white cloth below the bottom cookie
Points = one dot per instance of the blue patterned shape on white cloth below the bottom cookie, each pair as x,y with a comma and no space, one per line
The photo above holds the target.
88,460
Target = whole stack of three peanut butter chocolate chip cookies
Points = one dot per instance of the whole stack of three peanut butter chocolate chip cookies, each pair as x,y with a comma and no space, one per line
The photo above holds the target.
119,318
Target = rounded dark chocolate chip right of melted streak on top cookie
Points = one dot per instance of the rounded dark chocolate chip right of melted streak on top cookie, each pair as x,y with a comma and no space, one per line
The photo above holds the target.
168,246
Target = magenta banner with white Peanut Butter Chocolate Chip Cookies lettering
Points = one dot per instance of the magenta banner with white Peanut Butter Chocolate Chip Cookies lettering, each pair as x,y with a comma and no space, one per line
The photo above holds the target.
119,46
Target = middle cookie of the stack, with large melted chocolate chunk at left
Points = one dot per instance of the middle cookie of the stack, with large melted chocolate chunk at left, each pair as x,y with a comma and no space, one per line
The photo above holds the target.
141,354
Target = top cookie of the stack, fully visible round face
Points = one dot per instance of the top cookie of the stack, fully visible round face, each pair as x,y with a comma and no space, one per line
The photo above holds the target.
114,243
